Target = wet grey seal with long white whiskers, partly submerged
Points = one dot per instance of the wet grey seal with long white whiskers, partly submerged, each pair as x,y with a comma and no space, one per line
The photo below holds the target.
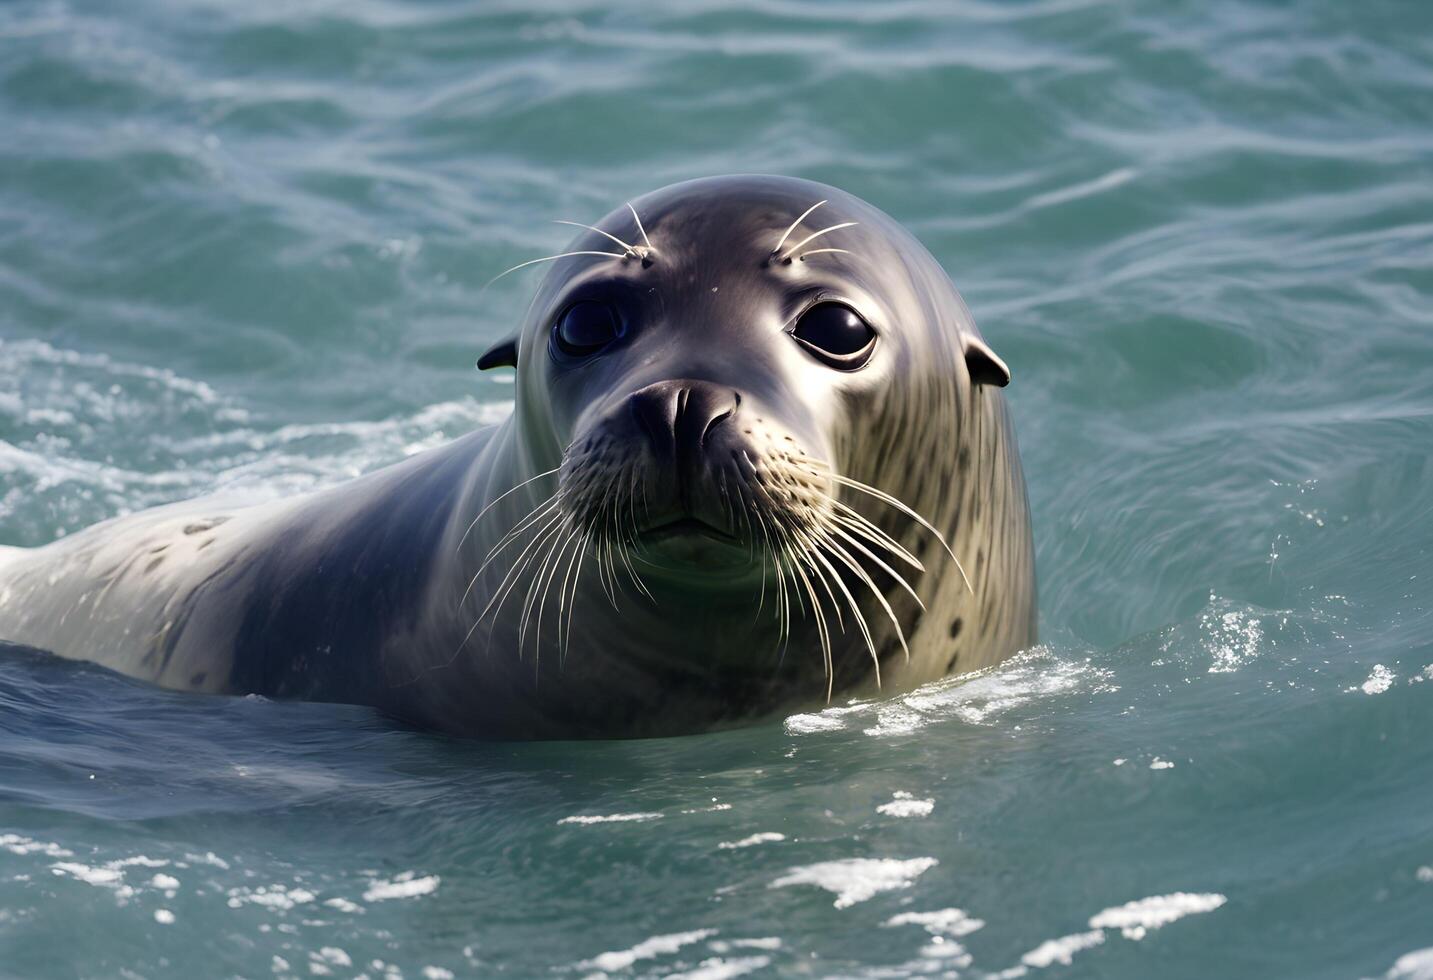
759,459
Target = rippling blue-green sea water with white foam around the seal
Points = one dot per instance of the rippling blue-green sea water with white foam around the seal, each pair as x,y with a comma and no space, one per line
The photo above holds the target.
243,247
